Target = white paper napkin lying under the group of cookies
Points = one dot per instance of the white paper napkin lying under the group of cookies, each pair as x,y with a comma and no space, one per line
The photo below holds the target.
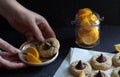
77,54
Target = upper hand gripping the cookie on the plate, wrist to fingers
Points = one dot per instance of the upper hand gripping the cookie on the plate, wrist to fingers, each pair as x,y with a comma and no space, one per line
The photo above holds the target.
32,25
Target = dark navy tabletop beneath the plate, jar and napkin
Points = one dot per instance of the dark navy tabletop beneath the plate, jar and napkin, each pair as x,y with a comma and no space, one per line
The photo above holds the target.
109,35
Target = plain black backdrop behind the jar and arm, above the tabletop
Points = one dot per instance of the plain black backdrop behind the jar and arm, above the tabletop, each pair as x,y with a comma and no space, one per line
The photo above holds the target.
60,13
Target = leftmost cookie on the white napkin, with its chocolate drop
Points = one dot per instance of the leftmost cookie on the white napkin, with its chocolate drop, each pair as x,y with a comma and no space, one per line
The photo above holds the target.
78,66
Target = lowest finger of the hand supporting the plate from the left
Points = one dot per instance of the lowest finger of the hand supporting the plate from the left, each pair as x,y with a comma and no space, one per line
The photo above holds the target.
10,65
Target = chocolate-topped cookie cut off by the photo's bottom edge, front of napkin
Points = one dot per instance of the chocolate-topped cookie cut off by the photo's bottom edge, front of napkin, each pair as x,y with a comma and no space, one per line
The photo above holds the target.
99,73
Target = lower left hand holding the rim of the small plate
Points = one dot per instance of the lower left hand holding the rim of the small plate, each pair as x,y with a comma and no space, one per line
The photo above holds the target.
9,57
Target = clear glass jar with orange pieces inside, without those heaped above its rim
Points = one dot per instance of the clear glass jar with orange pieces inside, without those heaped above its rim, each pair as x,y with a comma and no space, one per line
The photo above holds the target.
88,31
